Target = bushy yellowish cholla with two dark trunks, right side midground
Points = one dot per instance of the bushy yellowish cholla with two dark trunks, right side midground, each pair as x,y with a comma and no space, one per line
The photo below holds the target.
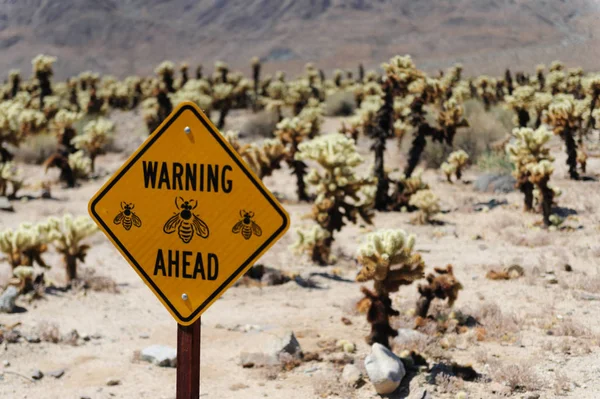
533,167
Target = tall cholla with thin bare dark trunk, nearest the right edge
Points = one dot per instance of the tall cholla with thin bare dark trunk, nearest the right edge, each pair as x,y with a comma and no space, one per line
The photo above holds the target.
564,114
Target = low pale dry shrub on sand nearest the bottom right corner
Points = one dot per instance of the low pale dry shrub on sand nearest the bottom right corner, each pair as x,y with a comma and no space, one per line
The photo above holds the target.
518,376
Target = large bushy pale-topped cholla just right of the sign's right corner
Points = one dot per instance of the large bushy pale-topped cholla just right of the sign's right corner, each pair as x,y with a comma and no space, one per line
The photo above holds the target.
341,195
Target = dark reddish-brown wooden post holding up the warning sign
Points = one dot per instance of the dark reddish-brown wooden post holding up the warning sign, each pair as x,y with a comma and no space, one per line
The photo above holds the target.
188,361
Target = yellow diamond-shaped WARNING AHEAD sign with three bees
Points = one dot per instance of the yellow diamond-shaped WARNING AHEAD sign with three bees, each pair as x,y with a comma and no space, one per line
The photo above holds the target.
188,214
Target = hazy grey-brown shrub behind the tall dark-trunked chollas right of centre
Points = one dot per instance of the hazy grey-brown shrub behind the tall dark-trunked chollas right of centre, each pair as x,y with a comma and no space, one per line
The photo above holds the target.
485,129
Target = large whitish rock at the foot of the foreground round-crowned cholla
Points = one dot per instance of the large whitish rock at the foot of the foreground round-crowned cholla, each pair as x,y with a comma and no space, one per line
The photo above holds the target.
385,370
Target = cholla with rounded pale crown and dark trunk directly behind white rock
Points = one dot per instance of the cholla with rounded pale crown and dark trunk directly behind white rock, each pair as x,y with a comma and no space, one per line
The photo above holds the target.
388,259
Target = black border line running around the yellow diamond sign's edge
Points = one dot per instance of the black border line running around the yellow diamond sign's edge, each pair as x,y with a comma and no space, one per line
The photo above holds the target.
134,160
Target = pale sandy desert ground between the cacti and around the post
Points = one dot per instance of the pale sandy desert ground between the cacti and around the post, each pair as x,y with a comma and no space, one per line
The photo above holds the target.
542,330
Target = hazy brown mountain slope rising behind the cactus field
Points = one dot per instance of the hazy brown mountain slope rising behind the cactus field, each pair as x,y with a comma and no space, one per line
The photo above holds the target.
124,37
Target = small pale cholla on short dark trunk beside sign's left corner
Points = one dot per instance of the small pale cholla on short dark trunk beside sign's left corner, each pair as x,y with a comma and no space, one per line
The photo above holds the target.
67,234
